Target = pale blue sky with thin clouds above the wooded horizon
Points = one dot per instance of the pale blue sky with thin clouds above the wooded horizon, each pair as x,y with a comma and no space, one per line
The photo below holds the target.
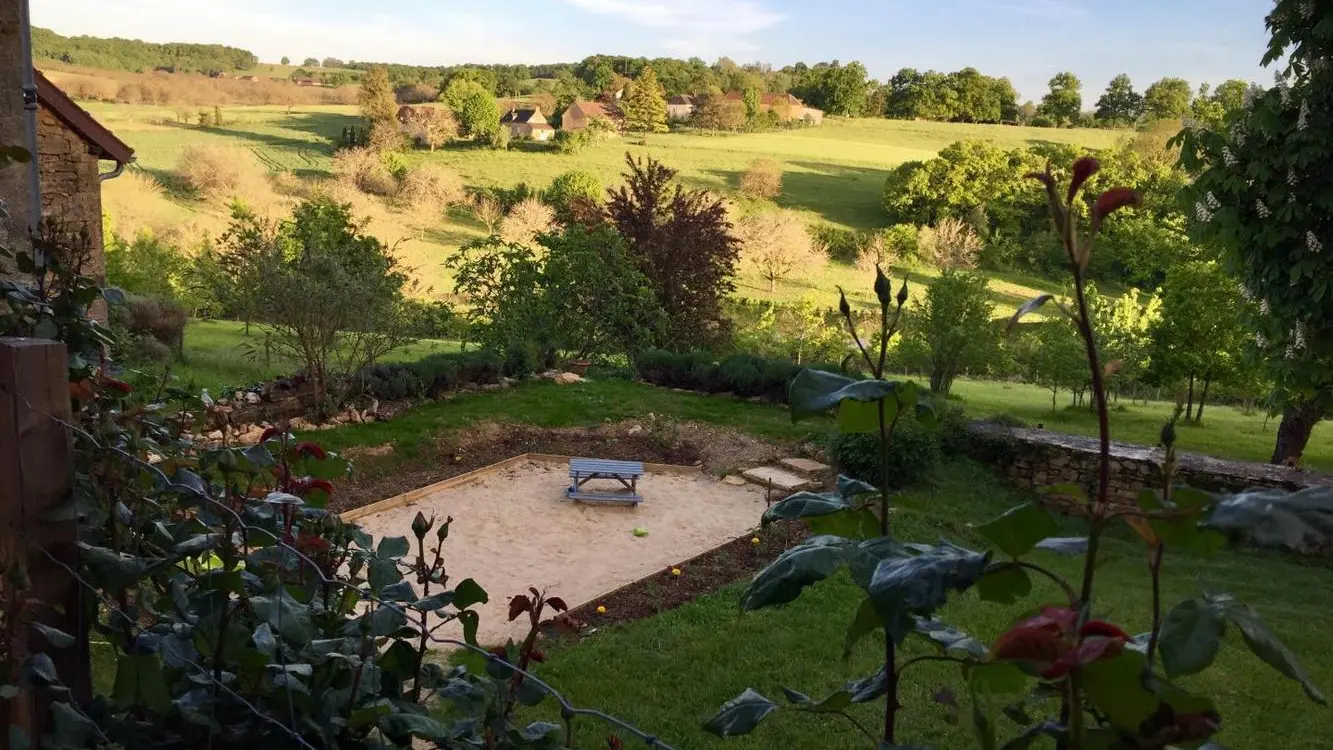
1027,41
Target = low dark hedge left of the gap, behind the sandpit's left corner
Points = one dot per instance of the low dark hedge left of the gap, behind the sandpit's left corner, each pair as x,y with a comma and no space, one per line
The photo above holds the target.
433,375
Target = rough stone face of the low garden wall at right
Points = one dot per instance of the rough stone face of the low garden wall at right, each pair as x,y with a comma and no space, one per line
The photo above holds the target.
1034,459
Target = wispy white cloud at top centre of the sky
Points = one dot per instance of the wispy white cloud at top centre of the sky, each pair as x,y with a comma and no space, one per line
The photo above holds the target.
694,27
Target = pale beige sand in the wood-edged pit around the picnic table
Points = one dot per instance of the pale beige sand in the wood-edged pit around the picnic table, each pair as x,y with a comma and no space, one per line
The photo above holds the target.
515,530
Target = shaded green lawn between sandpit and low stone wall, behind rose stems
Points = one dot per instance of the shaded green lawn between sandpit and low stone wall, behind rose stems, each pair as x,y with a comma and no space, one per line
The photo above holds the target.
671,673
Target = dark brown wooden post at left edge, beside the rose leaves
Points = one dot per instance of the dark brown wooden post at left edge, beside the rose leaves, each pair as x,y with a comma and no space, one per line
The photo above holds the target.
37,476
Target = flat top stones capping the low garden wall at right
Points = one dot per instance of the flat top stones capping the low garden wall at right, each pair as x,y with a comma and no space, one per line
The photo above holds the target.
1244,472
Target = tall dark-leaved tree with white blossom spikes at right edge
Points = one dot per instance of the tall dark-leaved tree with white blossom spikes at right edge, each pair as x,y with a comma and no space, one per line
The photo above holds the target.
1262,195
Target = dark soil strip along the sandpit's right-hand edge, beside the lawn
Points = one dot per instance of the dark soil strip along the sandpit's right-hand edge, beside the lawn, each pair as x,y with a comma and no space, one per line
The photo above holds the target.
704,575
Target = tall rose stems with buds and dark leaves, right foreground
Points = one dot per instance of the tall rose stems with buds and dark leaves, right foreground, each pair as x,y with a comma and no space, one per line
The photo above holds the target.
1112,689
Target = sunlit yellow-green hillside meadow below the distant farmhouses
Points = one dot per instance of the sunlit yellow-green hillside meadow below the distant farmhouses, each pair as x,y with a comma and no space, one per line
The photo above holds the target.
834,174
